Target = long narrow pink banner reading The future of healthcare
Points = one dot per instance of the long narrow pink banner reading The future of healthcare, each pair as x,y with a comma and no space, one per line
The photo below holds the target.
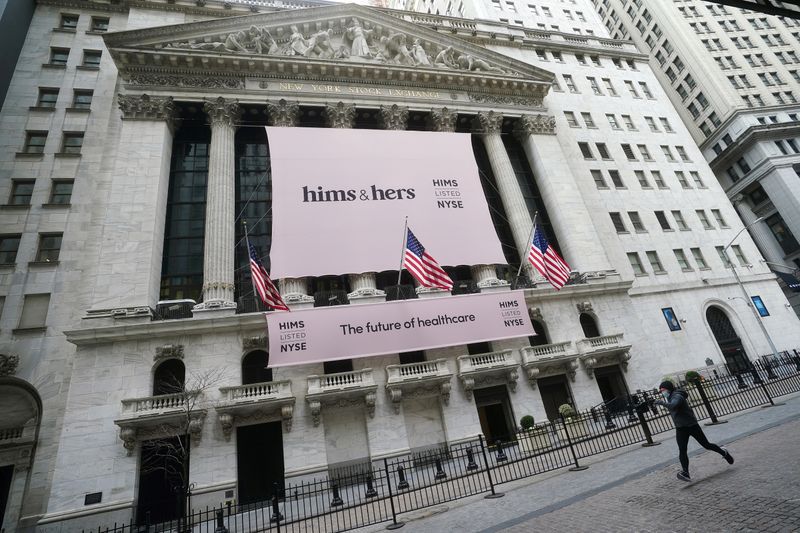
351,331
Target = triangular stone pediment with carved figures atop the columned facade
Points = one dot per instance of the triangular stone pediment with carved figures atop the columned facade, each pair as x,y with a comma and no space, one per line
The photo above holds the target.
345,41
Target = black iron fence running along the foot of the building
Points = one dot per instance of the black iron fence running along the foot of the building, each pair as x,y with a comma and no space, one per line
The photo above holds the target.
383,490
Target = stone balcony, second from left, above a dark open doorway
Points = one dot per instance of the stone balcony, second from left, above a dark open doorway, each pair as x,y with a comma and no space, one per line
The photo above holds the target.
255,402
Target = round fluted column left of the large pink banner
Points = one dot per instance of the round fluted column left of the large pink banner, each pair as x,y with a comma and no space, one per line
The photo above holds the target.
218,252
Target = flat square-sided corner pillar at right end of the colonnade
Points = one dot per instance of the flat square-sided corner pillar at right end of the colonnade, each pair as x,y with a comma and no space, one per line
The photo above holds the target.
581,245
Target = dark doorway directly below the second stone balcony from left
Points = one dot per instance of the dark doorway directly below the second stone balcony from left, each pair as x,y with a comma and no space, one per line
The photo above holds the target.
259,457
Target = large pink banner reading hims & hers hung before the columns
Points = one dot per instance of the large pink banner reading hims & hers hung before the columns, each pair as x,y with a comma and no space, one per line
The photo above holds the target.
340,197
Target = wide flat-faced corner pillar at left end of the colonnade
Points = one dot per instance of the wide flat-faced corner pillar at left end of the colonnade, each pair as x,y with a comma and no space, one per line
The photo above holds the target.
128,278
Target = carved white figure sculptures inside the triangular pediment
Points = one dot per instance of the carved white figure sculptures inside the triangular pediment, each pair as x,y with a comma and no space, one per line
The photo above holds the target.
357,42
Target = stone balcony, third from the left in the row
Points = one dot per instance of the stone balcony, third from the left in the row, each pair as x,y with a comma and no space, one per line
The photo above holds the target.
343,388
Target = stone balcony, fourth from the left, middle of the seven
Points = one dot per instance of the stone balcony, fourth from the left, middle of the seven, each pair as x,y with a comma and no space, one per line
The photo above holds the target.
412,380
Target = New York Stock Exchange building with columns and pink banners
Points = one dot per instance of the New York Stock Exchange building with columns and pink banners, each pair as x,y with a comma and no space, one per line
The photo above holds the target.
141,140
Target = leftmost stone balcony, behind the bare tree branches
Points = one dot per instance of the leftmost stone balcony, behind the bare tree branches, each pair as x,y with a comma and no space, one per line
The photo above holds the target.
163,415
